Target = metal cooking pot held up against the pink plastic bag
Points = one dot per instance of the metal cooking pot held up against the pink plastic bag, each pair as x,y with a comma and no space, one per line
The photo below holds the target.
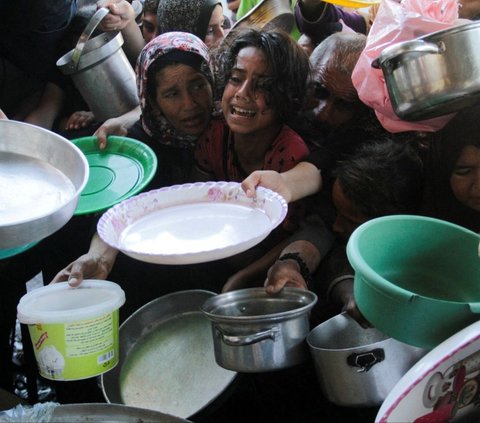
433,75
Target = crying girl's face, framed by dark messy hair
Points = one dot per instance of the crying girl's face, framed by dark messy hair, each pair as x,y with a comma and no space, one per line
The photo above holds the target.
245,103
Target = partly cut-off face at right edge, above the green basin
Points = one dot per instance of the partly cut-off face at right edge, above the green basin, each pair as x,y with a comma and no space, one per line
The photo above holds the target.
465,178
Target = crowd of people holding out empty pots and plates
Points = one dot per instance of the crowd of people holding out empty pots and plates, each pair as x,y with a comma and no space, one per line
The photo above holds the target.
262,108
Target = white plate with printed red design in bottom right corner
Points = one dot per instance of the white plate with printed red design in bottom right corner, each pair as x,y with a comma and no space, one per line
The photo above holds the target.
441,387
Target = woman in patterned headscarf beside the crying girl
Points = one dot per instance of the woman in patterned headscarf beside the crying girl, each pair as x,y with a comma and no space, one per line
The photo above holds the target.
168,125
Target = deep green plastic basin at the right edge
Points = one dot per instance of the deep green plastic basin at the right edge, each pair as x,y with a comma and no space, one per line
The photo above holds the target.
417,279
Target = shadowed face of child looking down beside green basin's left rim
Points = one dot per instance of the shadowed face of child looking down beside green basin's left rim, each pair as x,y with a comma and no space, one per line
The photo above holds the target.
348,216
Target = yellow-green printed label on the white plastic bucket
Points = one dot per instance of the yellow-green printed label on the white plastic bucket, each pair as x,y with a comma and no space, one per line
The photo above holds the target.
76,350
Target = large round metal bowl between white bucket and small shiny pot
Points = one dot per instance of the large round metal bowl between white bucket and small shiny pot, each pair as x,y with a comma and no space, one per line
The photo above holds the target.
167,362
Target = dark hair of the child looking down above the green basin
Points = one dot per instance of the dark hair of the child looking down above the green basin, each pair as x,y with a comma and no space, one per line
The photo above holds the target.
383,177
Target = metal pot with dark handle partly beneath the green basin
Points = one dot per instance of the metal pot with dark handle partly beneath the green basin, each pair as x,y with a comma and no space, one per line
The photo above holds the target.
358,367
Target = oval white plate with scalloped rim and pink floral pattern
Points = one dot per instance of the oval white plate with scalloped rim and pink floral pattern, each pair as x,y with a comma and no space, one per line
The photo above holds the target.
191,223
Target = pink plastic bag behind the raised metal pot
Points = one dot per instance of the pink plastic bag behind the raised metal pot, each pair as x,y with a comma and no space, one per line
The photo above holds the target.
396,22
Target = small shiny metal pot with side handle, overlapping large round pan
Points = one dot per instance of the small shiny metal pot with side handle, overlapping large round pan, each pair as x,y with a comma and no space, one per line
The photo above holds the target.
254,331
